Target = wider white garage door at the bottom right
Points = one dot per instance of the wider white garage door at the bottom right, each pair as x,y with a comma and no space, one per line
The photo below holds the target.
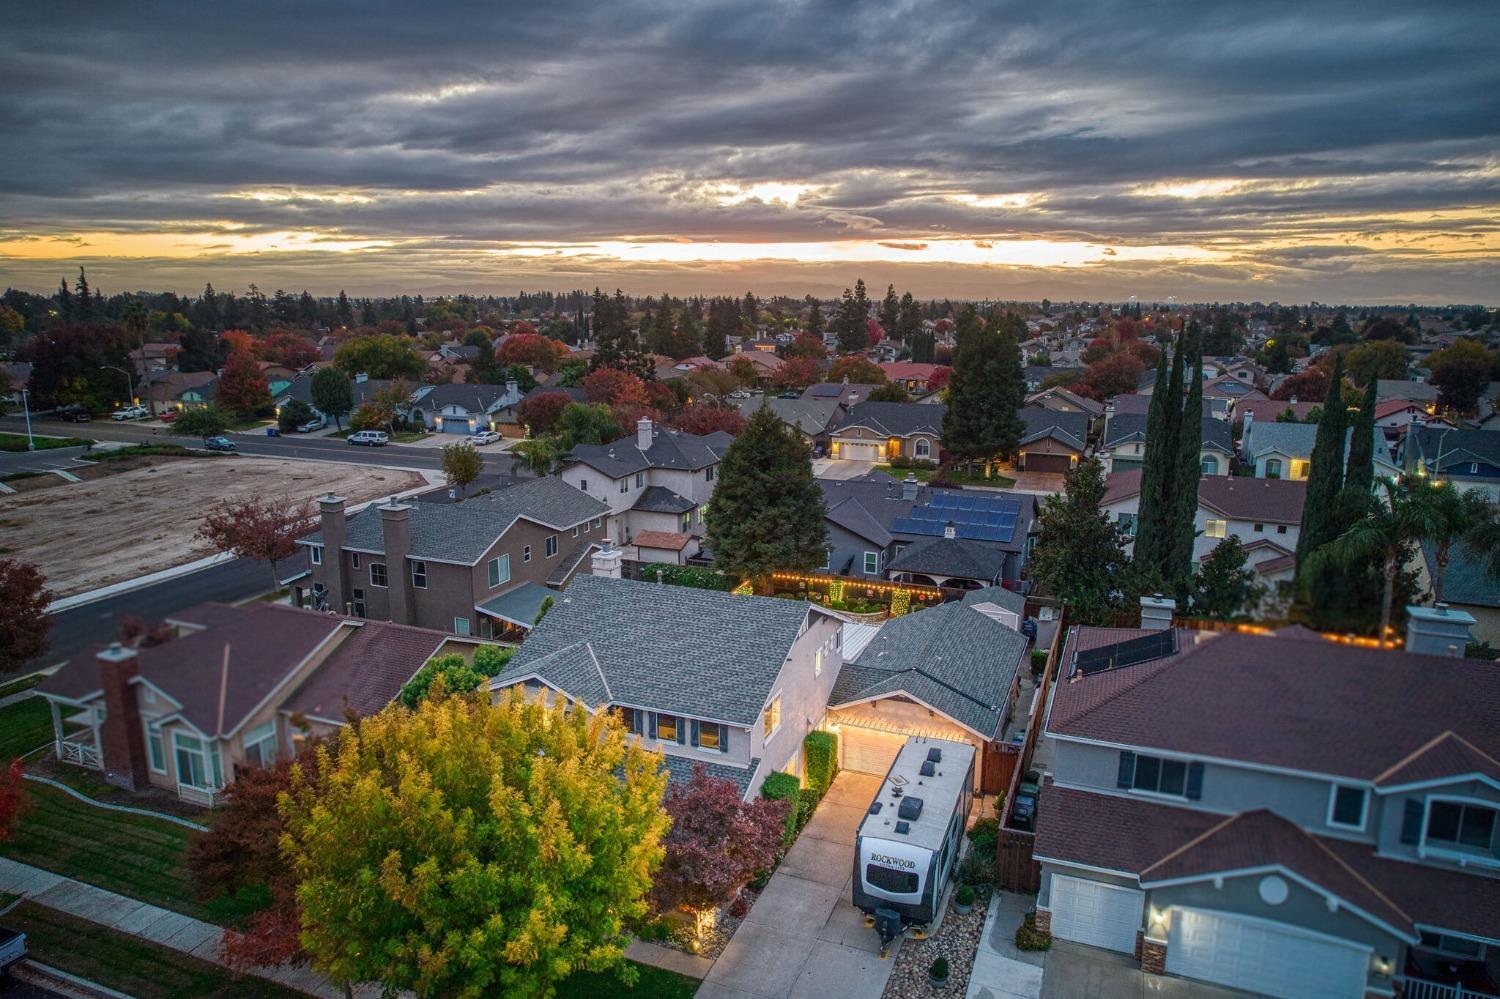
1264,958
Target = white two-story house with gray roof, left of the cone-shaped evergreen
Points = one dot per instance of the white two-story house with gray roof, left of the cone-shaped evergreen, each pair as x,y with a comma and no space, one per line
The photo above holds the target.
658,481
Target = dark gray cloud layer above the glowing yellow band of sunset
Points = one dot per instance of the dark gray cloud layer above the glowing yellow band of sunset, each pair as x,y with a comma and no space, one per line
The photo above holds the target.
475,125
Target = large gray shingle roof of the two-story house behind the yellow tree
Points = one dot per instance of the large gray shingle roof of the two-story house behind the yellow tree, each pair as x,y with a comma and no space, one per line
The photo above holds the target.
698,653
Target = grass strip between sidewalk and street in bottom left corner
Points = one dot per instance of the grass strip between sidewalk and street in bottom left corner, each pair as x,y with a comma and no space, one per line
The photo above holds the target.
130,964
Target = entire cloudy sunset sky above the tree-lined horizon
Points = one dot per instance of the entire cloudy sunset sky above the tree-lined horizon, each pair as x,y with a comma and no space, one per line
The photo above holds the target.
1085,151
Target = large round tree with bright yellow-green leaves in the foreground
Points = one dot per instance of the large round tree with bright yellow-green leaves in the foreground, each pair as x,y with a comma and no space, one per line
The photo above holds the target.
476,850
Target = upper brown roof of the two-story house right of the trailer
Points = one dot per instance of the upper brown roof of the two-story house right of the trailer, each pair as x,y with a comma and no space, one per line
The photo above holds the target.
1316,707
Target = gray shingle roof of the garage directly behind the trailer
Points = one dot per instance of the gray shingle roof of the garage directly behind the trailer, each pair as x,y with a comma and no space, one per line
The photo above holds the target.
950,658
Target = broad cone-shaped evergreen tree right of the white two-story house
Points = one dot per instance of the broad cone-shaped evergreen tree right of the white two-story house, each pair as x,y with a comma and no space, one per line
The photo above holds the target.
769,512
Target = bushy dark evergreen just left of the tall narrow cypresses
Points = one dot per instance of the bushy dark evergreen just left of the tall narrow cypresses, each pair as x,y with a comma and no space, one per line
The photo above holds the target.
1081,553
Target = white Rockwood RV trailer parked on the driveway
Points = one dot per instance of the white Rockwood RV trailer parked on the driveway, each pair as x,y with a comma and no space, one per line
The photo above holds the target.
908,844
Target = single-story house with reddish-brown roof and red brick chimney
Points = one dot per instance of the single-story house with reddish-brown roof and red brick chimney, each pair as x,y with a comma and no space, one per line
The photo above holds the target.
233,688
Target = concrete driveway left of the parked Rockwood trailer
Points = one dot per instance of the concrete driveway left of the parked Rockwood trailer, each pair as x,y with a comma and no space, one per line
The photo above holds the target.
803,935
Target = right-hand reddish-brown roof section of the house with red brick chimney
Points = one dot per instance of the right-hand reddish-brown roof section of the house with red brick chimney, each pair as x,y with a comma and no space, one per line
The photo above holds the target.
367,671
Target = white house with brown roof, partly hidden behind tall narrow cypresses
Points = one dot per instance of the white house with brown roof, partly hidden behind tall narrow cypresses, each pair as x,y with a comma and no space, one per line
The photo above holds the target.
1265,514
